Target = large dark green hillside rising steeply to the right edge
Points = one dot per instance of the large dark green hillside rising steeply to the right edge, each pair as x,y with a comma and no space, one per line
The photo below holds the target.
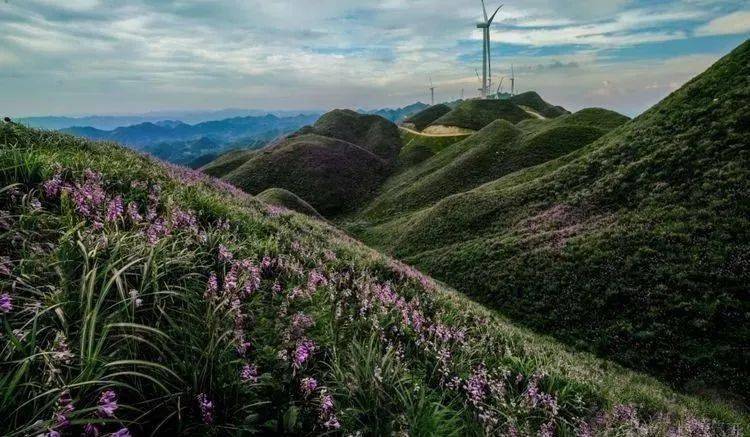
635,246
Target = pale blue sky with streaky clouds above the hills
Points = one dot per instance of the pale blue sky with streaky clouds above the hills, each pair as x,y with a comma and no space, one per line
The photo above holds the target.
82,57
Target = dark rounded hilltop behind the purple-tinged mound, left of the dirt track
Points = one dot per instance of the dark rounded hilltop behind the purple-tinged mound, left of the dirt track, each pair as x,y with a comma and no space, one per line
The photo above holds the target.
371,132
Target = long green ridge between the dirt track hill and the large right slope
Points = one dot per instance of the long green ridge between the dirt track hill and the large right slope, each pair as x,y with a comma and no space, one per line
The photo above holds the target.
495,151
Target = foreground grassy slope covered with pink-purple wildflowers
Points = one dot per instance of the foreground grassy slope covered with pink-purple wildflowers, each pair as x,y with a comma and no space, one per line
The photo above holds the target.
143,297
